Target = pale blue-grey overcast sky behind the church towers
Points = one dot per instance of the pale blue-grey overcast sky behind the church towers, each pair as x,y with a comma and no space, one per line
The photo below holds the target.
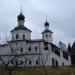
60,15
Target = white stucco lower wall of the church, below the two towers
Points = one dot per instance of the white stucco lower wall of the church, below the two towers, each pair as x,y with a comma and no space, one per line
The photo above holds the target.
44,59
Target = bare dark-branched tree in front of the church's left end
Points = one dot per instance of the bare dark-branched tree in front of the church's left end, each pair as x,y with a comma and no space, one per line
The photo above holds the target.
9,58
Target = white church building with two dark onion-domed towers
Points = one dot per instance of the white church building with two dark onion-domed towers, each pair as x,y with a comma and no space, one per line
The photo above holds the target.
27,52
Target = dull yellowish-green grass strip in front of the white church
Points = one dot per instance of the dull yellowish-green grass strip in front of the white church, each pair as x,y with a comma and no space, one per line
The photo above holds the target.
40,71
